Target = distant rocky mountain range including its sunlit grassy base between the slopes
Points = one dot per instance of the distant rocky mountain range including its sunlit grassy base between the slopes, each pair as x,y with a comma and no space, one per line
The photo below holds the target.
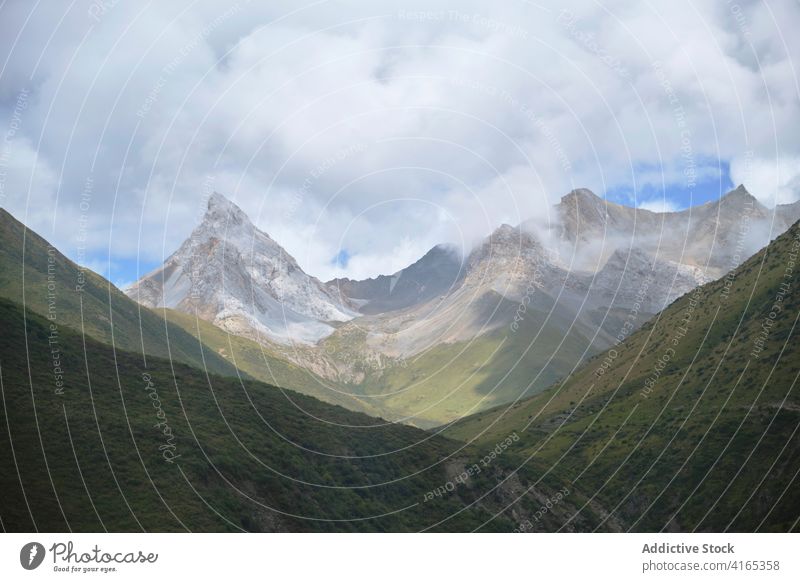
450,335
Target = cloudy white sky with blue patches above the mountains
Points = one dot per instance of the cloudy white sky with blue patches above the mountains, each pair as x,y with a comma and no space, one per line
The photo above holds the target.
359,134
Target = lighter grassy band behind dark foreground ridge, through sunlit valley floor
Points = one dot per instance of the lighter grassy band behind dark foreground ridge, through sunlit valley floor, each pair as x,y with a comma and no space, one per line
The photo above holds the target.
446,382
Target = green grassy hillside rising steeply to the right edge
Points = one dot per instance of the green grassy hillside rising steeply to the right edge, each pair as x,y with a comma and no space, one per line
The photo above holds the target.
715,443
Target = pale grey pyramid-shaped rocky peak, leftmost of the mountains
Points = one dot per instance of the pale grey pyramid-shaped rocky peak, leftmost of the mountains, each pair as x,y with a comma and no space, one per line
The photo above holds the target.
230,273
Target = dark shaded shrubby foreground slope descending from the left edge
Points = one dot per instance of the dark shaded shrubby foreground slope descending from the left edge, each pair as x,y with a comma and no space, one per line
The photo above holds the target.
89,459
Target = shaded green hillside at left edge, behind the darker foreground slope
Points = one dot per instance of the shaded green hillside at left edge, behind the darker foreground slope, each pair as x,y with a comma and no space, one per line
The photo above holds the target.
101,310
